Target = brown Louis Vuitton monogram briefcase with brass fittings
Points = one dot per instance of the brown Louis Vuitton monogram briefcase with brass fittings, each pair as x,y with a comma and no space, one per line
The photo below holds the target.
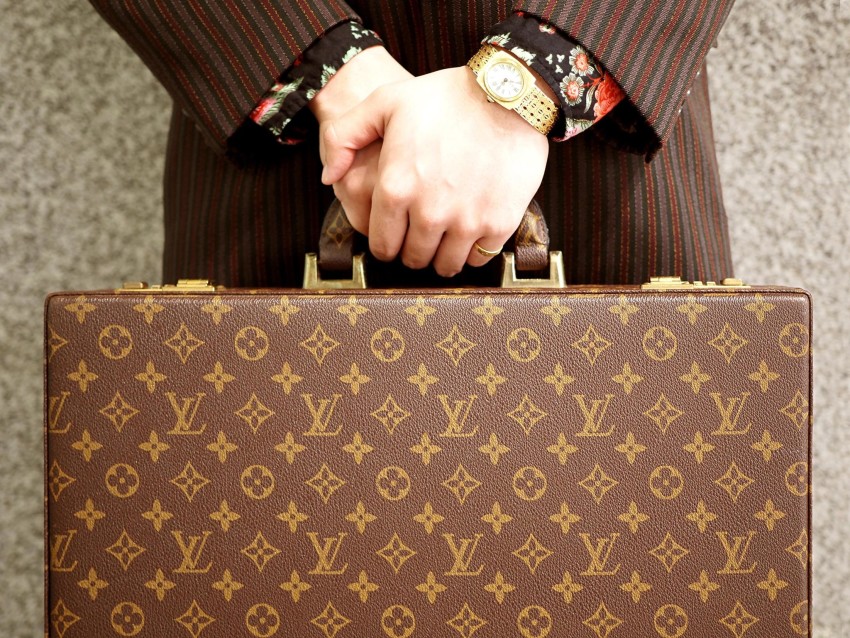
534,460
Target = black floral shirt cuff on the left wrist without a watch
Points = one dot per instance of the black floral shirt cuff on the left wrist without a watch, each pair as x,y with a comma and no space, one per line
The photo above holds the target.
277,109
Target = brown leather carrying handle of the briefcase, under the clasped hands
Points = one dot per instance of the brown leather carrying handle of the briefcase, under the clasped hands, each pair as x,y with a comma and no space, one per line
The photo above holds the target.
530,242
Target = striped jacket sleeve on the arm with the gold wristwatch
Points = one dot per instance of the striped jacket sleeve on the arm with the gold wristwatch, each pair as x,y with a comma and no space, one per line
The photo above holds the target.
653,48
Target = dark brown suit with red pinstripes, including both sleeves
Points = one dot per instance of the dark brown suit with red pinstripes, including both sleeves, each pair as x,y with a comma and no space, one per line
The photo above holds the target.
617,217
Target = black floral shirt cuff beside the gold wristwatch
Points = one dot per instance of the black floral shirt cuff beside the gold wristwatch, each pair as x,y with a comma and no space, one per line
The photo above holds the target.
585,90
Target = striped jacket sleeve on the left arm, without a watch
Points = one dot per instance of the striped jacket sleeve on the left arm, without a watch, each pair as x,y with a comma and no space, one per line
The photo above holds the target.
216,58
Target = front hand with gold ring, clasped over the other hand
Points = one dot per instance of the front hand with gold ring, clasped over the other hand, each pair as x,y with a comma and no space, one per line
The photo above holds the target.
454,169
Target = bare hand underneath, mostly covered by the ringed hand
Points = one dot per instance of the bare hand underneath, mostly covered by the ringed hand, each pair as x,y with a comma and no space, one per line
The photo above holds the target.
361,75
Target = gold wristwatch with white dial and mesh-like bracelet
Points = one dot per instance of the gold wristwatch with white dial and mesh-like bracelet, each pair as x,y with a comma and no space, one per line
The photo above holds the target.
509,83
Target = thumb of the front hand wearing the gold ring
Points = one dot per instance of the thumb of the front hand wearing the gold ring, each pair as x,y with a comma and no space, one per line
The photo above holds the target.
346,135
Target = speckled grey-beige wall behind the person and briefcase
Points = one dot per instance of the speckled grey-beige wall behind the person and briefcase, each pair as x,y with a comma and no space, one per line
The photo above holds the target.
82,131
